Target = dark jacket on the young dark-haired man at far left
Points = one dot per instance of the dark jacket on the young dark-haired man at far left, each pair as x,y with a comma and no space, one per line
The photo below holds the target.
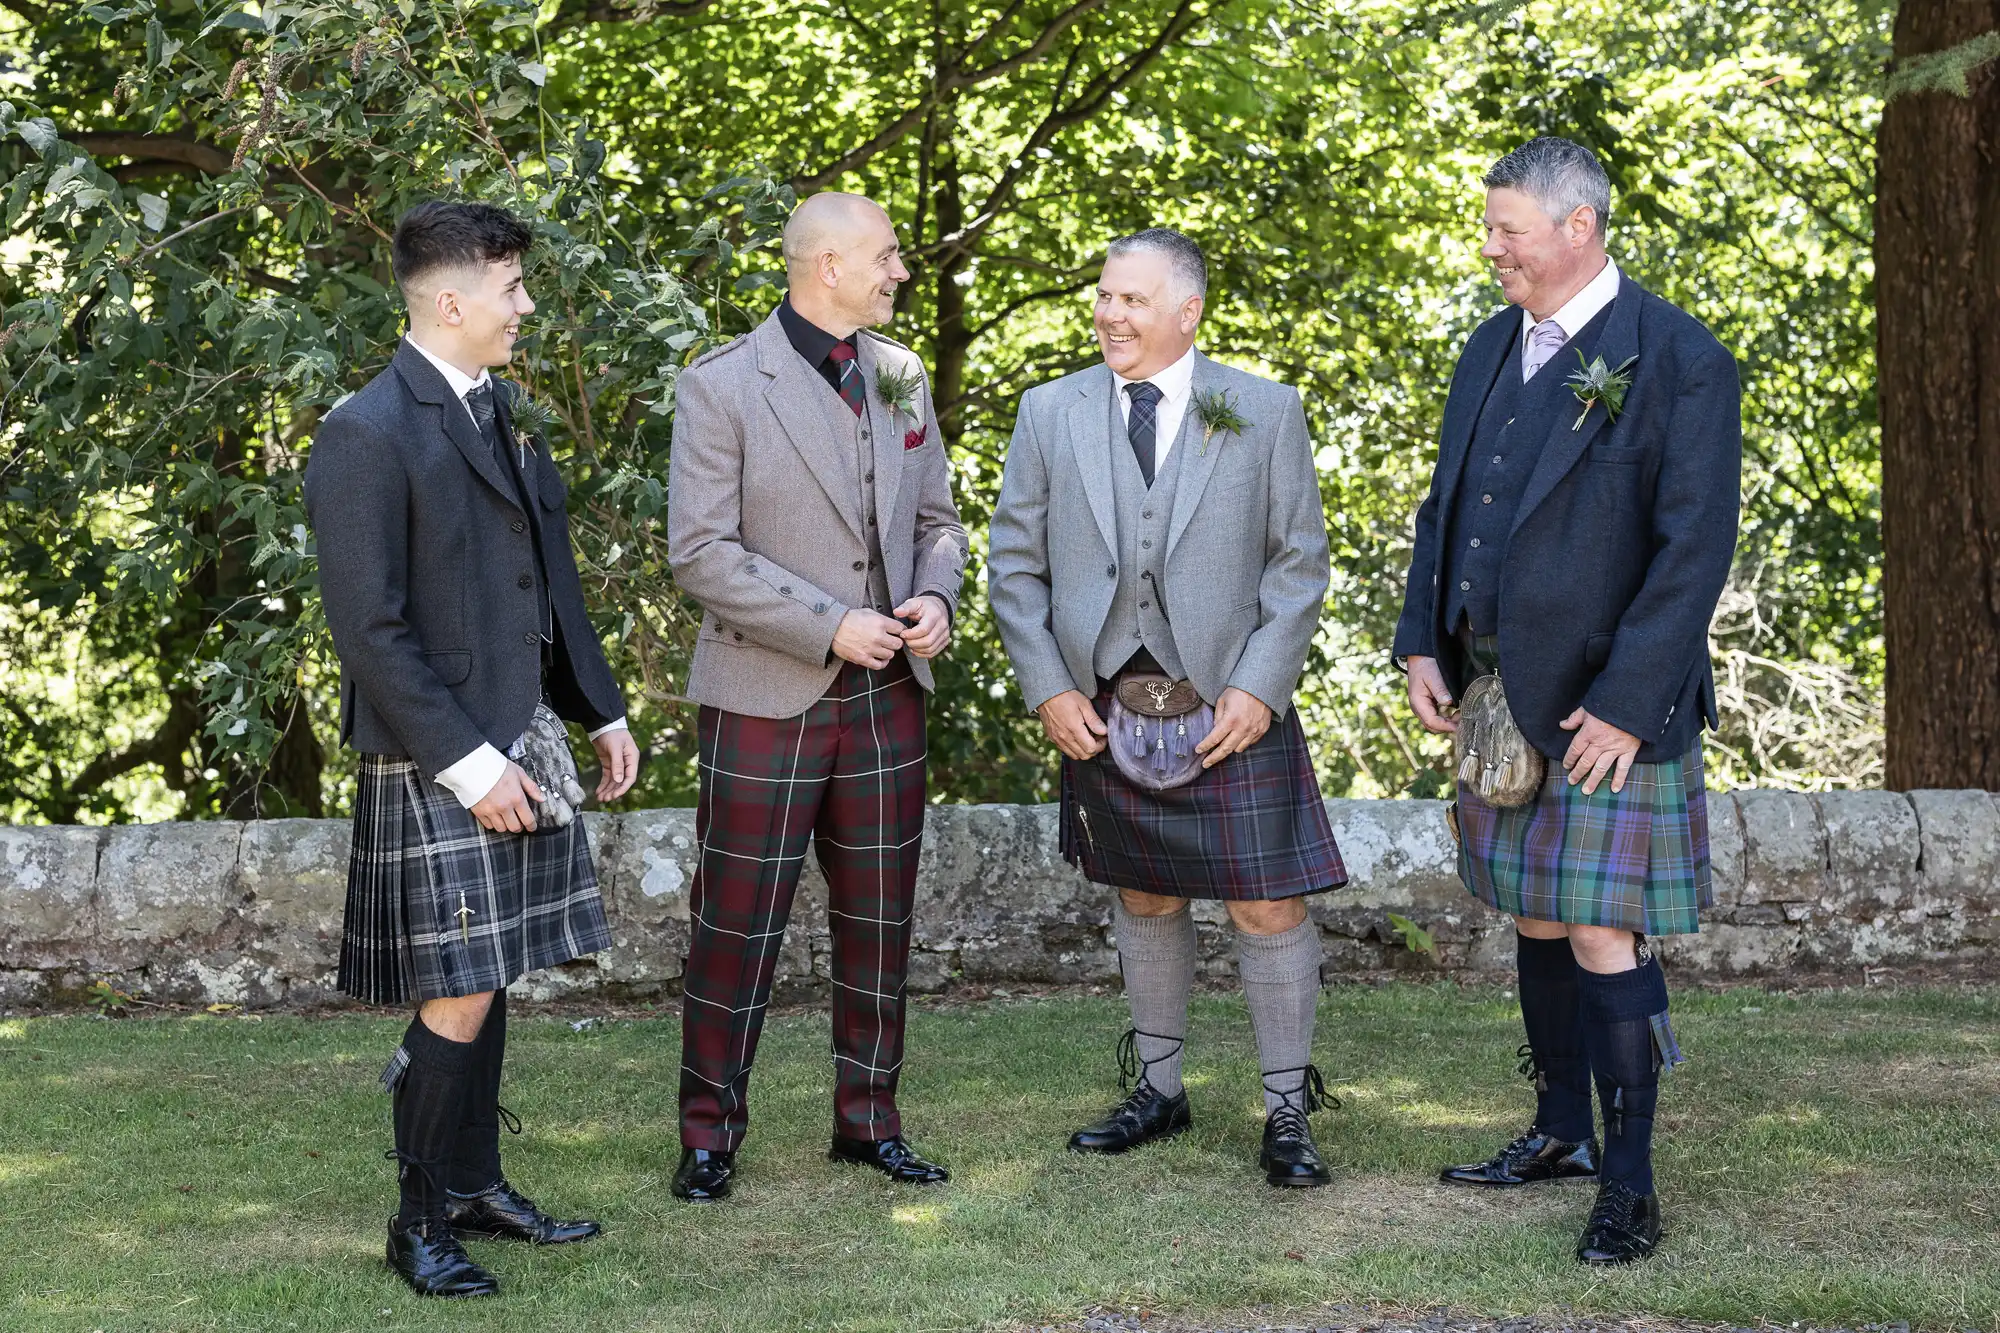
431,577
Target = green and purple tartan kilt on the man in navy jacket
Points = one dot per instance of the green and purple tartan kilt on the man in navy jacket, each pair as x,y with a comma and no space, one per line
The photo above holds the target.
1633,860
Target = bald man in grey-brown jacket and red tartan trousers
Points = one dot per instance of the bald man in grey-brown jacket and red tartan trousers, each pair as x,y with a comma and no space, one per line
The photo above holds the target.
811,515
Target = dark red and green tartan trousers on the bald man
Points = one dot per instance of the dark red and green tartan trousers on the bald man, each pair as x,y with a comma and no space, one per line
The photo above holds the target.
849,776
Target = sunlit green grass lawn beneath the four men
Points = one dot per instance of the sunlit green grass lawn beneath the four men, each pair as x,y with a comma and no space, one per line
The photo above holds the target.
1827,1158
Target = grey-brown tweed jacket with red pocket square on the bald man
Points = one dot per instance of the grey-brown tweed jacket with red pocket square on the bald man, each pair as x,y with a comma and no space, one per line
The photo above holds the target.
765,523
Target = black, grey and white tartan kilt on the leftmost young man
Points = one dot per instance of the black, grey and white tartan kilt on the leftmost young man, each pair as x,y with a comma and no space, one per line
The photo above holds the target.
441,908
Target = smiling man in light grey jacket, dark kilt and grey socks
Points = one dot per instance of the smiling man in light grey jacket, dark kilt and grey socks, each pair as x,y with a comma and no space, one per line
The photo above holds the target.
1161,517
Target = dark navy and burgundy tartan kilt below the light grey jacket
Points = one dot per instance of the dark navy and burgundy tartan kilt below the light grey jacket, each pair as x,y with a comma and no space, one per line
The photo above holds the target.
1249,830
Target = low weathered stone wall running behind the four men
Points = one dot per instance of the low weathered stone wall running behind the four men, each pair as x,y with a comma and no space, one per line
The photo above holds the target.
251,912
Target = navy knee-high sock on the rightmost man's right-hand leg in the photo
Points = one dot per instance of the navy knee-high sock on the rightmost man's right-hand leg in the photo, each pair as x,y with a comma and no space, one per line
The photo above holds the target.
1627,1036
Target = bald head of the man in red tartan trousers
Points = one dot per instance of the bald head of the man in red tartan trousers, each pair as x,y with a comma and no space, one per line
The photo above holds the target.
845,263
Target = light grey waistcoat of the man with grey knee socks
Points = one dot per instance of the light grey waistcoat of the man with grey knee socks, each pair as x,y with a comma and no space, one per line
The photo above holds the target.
1137,619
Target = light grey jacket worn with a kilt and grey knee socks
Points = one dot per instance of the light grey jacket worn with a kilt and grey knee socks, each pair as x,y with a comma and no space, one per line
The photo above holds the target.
1245,569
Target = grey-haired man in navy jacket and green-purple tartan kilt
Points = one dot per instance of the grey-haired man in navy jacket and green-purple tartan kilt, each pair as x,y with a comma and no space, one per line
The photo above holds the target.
1577,545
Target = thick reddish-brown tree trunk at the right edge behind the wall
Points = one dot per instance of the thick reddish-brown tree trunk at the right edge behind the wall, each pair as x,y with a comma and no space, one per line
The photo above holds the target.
1939,347
